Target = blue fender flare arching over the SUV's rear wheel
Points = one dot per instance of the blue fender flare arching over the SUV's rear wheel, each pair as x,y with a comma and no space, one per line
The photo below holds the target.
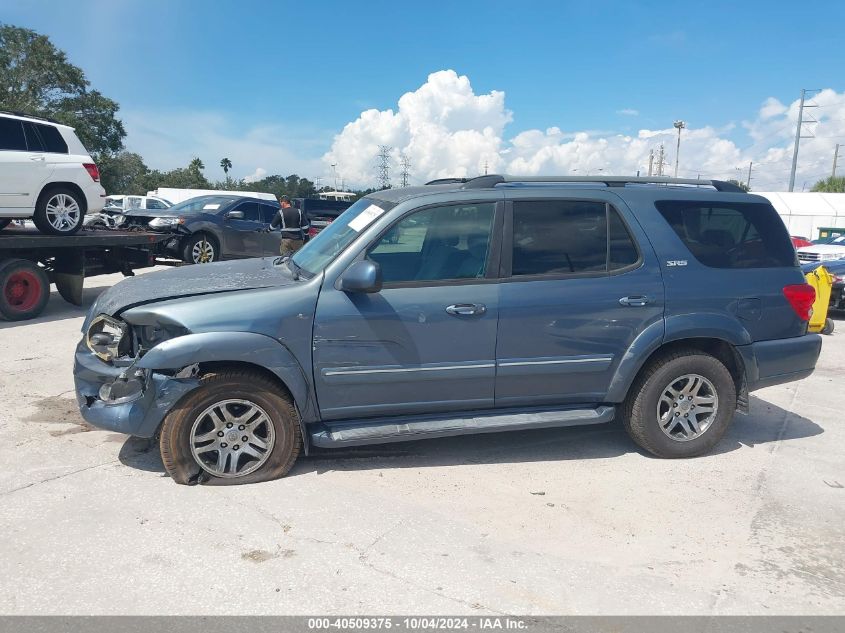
671,329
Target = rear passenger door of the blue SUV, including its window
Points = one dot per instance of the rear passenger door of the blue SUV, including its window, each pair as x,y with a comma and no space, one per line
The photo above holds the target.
581,283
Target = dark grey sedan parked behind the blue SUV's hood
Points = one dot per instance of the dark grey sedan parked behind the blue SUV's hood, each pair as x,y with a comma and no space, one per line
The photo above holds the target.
209,228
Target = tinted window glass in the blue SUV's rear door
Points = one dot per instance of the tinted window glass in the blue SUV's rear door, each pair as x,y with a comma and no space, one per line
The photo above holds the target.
565,237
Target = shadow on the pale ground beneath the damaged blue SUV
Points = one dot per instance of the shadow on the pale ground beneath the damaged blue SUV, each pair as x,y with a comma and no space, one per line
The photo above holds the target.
767,423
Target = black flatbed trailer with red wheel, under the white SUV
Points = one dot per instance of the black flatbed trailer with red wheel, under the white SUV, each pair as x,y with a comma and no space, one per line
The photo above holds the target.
30,261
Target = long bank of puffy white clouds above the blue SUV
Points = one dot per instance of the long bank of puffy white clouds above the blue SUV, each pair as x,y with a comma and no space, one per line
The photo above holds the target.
448,130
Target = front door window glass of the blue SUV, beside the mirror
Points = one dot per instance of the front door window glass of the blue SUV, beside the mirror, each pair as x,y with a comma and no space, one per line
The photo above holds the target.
437,244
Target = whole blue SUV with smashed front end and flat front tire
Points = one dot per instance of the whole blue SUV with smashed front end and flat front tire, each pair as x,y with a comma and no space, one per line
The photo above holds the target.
506,305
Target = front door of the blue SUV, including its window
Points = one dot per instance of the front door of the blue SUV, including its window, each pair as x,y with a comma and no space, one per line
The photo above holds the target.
427,341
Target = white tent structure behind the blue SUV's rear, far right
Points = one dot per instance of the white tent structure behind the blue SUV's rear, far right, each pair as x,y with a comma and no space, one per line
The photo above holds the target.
805,213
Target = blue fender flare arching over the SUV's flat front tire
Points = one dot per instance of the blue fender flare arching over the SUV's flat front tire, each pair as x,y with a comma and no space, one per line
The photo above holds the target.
242,347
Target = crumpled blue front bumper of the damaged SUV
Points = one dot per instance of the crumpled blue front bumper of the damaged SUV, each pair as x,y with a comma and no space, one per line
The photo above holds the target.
135,406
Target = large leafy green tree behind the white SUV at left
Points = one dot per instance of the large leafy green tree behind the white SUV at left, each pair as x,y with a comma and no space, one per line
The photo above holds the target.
37,78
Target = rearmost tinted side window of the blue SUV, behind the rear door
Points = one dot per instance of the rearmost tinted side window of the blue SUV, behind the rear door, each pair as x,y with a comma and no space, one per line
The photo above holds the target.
735,235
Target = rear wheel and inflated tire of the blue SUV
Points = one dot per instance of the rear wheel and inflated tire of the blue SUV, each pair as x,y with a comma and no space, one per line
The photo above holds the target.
678,370
